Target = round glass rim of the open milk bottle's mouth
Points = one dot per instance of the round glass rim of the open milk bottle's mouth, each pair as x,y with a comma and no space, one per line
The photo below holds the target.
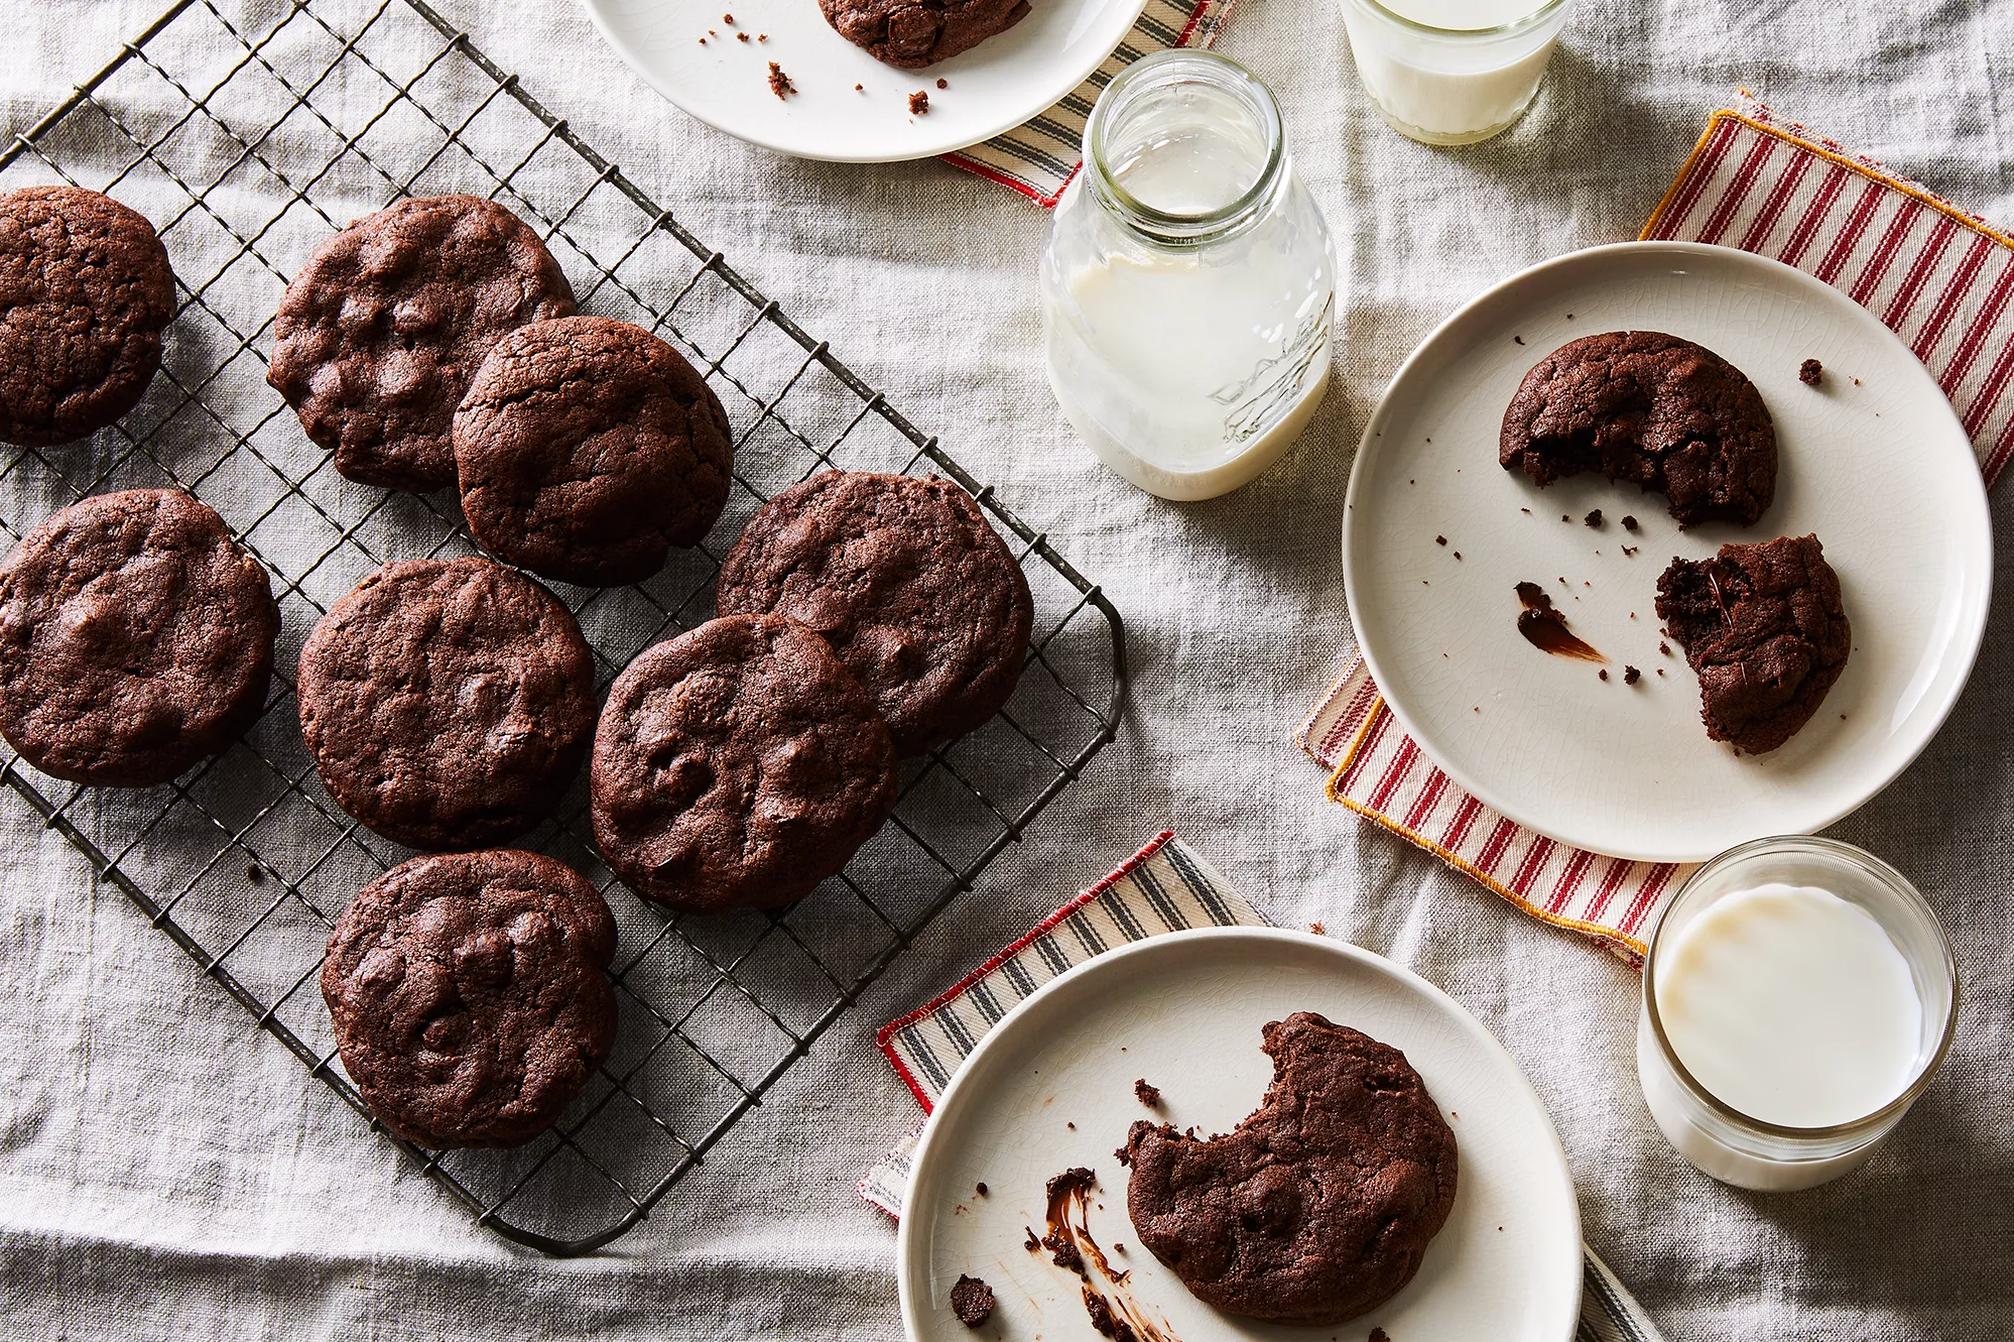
1179,227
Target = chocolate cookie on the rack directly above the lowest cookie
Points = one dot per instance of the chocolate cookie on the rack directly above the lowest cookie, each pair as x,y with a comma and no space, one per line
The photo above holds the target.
448,702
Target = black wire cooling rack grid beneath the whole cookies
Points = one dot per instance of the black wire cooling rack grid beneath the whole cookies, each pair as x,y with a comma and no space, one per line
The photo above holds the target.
249,132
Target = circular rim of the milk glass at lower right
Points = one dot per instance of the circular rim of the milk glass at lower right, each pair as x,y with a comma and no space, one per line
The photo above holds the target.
1890,882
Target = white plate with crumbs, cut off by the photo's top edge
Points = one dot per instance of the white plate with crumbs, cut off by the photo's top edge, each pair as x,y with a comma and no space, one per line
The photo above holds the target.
726,84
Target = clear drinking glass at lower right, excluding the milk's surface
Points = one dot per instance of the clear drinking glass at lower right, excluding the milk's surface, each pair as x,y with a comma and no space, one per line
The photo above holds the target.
1737,1148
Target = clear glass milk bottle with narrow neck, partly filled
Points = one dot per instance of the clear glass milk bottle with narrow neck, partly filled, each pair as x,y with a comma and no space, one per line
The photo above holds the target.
1189,283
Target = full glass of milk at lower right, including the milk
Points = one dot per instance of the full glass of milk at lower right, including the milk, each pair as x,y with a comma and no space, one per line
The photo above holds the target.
1797,998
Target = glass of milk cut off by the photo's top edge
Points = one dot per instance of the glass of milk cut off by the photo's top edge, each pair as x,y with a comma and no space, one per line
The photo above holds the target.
1453,72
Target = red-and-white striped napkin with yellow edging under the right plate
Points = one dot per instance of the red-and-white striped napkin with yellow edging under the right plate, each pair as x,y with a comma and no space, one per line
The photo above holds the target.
1936,275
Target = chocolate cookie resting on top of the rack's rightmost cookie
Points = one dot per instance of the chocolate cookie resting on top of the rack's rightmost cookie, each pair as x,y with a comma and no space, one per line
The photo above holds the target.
738,767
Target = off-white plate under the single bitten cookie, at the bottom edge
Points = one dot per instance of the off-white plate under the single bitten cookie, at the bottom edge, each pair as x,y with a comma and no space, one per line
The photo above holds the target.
1185,1011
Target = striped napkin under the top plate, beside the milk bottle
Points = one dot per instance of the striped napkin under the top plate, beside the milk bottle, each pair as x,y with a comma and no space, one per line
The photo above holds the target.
1040,156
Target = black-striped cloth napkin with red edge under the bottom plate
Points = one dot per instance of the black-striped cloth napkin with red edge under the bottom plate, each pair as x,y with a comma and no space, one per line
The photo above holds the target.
1163,888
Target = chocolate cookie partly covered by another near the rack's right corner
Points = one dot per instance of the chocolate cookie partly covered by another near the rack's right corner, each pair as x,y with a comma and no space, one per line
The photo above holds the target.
907,581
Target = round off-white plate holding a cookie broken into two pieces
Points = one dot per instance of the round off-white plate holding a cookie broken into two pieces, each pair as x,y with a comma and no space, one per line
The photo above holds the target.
1880,468
